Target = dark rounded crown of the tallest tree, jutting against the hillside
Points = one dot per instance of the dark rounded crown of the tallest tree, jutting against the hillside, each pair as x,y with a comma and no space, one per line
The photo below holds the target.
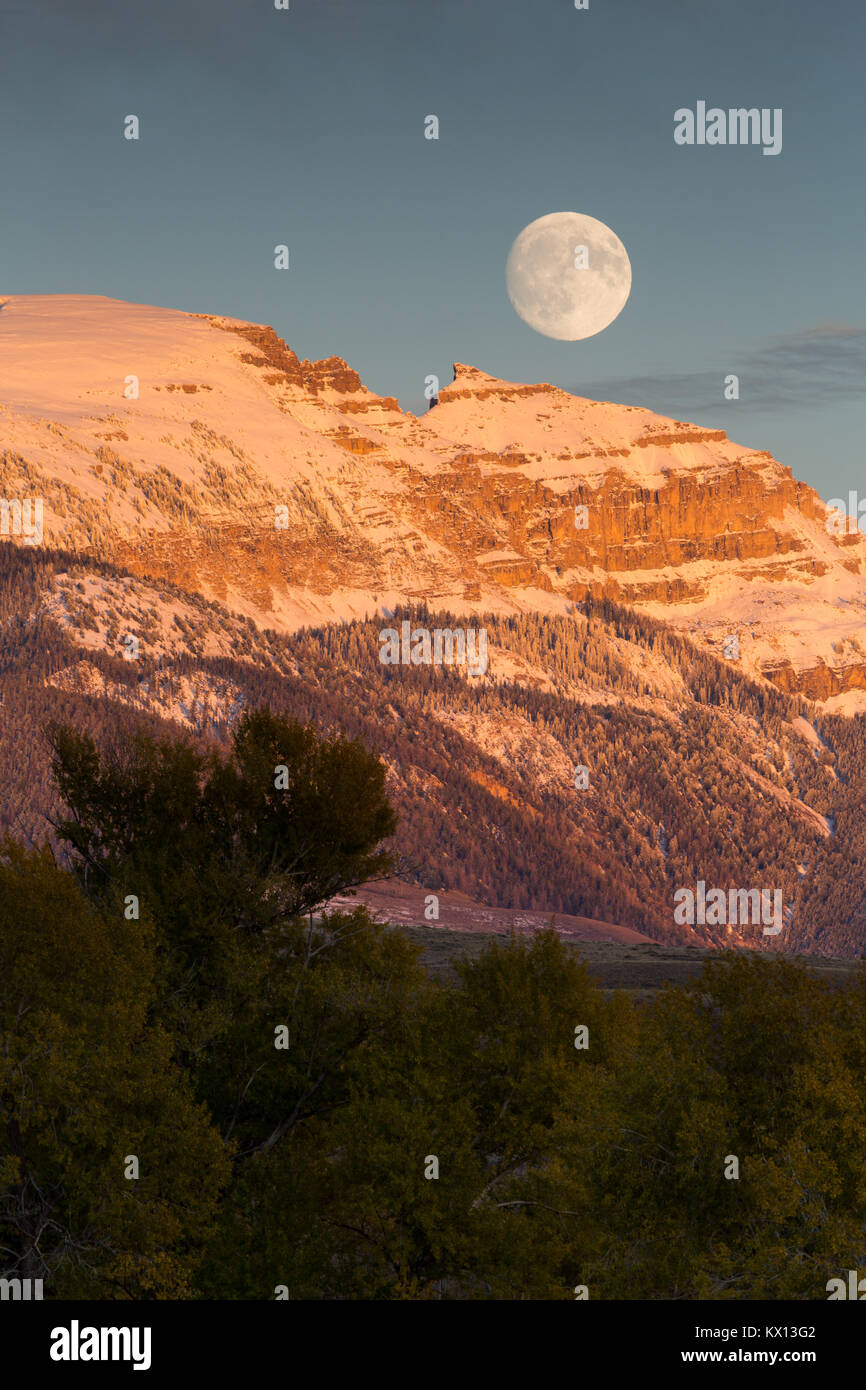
261,853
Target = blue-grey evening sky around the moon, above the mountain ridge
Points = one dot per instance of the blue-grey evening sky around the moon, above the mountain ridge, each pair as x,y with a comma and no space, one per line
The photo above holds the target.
305,127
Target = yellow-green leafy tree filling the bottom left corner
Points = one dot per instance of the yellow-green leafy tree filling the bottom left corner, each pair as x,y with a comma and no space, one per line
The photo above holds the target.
85,1081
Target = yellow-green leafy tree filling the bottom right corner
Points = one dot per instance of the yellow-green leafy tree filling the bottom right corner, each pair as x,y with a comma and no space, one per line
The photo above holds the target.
761,1063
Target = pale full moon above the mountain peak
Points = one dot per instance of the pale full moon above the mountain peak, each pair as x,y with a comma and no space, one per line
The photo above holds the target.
568,276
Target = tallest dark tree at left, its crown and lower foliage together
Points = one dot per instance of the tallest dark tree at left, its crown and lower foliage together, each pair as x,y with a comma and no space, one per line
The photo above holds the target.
227,864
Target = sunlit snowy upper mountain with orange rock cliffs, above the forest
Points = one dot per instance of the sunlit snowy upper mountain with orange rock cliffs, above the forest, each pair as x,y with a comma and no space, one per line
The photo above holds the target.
202,451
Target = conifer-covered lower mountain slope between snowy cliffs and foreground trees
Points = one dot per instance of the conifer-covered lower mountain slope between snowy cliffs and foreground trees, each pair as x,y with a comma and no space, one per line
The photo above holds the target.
696,772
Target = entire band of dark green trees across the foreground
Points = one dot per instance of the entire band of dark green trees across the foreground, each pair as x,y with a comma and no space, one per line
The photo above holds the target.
412,1140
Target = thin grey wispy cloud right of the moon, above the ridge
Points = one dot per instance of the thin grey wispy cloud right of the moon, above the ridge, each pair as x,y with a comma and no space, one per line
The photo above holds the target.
814,368
